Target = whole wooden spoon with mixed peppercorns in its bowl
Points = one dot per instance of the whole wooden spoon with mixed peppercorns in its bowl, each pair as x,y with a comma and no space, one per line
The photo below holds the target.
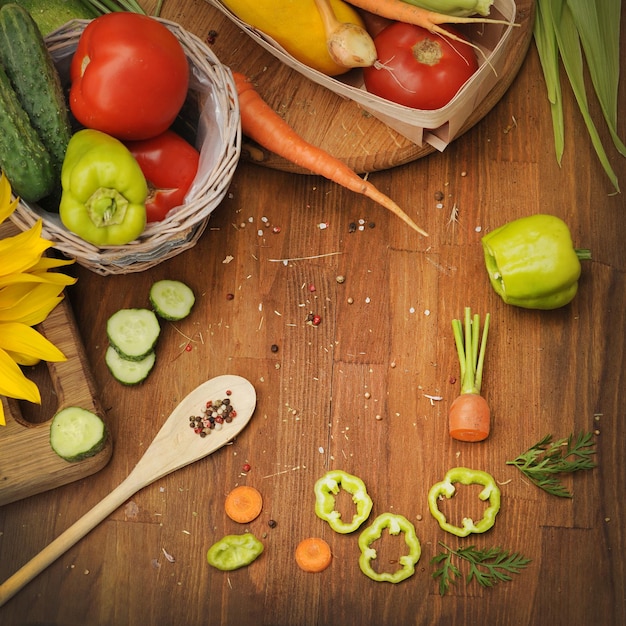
175,445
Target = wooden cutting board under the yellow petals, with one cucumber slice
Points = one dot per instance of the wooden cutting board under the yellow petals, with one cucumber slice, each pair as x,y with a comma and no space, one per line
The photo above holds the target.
28,465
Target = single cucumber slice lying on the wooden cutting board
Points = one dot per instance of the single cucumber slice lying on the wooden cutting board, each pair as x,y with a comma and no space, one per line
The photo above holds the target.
77,434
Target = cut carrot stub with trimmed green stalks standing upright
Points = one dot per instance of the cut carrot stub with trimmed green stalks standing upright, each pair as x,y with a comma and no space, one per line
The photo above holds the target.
469,415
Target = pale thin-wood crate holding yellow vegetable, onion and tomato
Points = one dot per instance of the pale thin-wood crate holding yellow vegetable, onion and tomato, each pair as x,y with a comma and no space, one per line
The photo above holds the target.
439,127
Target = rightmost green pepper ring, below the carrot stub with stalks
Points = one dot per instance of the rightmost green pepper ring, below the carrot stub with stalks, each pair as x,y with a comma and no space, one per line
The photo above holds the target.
446,488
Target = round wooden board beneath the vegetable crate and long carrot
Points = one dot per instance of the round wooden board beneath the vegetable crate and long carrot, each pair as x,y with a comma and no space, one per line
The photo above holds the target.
337,125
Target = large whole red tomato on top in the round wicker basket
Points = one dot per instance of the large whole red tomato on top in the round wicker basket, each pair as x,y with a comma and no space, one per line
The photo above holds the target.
129,76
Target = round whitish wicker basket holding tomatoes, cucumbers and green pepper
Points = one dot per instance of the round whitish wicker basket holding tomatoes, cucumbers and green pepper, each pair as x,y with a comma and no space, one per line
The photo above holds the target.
212,101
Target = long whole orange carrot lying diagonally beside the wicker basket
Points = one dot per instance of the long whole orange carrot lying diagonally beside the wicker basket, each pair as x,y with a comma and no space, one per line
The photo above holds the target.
263,125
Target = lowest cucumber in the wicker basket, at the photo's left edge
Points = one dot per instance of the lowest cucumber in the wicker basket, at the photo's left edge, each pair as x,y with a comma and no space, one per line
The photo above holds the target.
23,157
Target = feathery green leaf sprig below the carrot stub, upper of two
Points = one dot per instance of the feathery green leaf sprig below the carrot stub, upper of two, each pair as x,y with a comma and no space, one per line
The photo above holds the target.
543,462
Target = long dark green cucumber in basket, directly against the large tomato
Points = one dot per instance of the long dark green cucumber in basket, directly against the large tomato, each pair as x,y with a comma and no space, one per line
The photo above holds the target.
35,80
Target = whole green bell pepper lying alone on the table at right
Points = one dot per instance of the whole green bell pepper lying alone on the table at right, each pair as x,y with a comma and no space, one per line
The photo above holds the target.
532,262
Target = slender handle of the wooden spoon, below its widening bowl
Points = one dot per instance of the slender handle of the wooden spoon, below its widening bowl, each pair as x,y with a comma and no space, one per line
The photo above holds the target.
66,540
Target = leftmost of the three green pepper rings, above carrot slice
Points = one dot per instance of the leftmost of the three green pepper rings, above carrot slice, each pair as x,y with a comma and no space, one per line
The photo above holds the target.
327,487
